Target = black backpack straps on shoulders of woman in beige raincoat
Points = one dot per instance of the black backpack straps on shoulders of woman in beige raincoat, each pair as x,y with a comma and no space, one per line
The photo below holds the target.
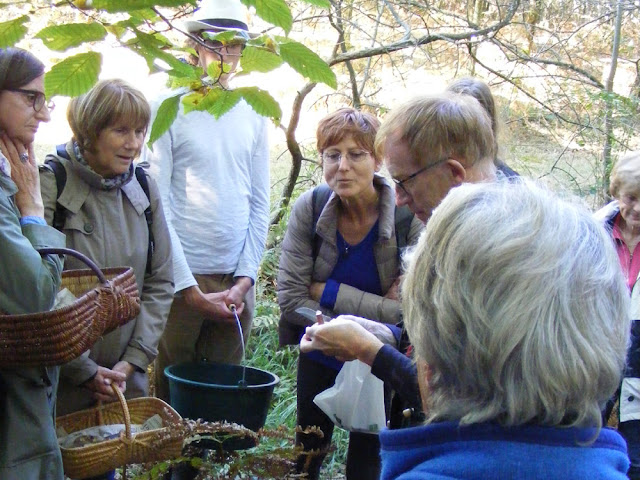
60,214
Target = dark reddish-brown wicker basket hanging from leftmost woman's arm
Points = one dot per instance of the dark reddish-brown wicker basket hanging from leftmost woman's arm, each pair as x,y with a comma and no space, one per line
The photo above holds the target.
106,300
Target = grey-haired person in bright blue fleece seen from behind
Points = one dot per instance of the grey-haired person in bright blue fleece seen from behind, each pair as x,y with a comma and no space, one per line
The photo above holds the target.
518,314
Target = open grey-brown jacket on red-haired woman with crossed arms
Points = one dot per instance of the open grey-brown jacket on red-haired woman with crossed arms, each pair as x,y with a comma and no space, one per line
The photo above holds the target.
297,268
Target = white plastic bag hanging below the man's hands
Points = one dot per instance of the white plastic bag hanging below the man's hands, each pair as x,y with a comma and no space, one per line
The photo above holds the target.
356,401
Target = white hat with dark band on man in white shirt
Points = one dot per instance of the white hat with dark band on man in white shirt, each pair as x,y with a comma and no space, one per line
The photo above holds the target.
220,16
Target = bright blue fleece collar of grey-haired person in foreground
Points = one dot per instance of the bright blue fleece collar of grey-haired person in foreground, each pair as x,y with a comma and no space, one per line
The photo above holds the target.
488,451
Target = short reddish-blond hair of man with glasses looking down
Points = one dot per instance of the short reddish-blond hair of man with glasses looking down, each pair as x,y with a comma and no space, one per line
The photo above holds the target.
445,125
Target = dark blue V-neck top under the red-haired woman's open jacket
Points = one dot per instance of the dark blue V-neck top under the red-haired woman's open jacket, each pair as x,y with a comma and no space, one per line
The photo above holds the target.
356,267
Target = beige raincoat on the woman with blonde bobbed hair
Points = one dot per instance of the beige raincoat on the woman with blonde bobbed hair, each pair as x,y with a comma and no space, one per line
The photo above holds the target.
109,226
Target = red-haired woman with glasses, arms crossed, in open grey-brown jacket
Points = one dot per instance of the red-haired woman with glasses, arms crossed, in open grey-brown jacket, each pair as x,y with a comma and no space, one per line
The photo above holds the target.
341,257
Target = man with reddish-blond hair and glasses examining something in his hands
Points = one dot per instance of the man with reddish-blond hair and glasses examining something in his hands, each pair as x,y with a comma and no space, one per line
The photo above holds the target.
430,145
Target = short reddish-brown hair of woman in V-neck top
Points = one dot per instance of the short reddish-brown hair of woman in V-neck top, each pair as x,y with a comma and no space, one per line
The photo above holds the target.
345,122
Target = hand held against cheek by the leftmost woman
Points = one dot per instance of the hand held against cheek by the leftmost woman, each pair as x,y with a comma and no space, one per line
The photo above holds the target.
25,175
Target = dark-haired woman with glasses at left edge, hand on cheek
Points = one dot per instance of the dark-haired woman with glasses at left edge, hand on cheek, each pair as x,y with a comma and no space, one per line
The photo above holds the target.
29,281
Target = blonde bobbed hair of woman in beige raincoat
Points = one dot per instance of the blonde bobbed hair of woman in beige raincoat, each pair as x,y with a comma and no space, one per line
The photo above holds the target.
108,102
